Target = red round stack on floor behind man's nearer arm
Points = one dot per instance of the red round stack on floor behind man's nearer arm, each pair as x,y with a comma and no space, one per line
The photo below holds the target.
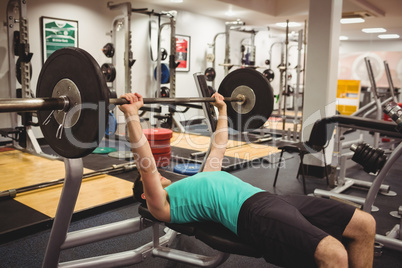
159,140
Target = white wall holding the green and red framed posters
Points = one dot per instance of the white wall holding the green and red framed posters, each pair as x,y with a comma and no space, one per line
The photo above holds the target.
95,19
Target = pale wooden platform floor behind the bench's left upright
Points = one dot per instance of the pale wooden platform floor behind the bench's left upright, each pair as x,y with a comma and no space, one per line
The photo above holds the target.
19,169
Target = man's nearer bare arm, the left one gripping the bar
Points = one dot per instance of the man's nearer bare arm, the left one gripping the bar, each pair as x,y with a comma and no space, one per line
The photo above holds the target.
153,190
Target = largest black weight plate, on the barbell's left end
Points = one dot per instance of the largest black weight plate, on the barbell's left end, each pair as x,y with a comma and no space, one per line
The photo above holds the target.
82,69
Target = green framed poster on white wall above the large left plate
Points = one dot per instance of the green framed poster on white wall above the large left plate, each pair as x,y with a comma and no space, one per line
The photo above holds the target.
57,33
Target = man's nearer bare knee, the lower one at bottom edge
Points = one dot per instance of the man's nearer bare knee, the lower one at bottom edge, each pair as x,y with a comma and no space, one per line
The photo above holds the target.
331,253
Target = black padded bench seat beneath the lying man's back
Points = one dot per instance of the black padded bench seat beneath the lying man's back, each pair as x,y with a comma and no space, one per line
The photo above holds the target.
213,234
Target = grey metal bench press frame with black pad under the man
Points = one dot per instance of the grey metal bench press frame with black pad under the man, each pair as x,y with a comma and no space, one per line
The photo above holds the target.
213,234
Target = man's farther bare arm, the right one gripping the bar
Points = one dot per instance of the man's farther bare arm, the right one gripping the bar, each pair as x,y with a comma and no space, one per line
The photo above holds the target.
220,137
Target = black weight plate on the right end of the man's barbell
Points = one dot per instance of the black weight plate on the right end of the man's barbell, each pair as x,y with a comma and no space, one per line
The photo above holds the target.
264,98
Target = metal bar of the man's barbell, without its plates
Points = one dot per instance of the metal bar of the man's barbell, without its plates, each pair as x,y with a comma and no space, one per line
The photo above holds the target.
62,103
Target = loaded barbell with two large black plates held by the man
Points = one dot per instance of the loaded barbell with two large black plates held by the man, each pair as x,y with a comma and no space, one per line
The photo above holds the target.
72,101
